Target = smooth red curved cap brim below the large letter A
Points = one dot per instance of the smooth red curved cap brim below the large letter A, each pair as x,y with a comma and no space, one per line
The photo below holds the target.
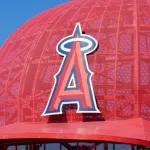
133,131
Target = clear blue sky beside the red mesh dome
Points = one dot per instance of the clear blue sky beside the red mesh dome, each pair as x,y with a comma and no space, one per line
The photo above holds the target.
14,13
